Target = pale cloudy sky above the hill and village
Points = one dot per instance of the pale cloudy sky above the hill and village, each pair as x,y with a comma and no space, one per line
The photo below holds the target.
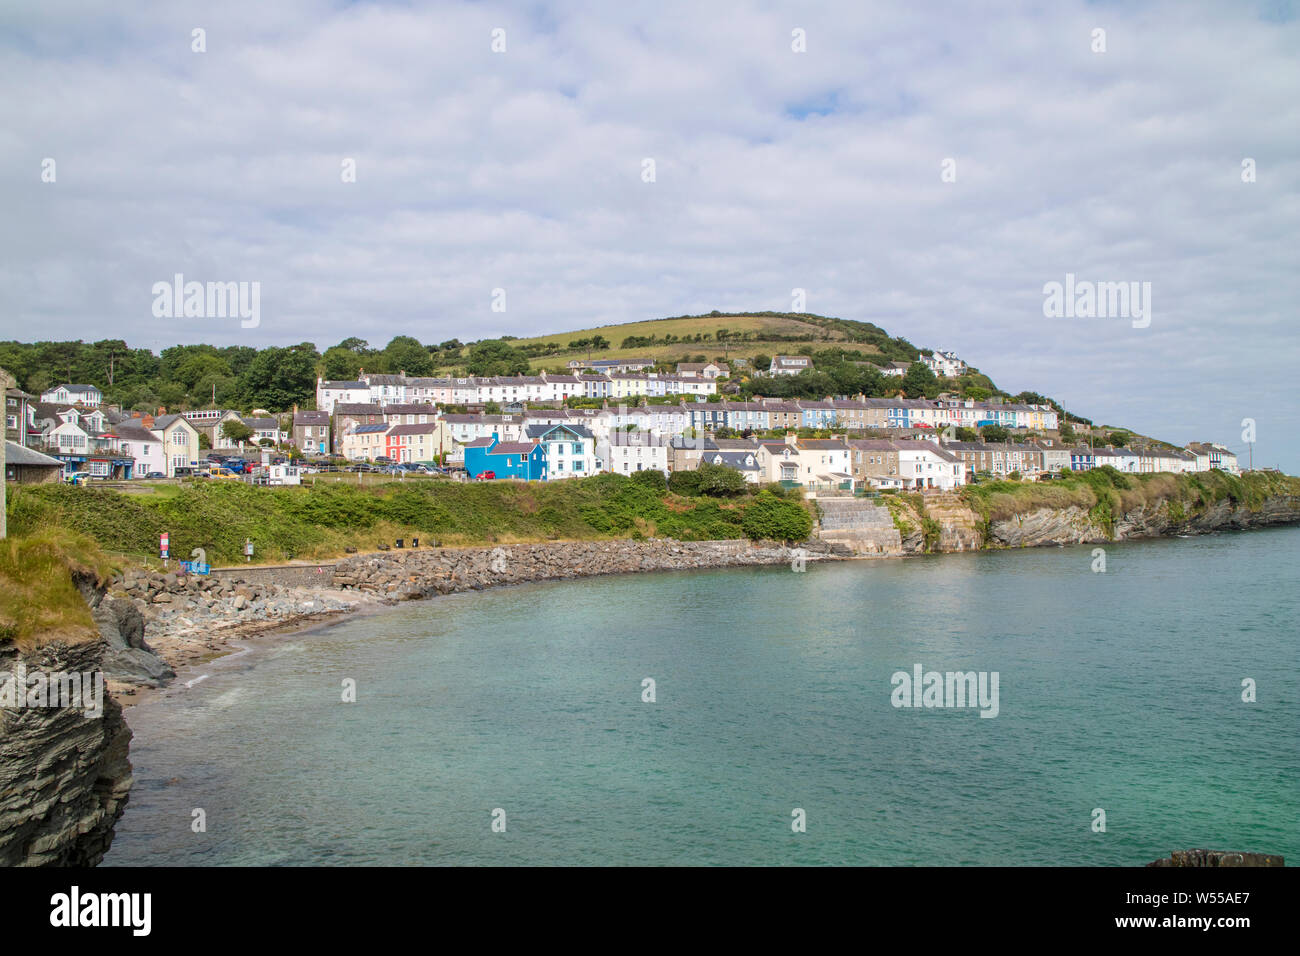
928,168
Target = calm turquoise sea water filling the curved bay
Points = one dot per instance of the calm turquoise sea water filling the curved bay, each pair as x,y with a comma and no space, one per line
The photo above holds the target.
1120,691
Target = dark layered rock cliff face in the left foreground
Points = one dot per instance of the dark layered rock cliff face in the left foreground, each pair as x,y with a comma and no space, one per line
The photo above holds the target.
64,777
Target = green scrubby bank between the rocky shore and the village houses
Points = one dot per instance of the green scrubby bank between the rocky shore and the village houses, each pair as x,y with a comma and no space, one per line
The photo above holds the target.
323,522
